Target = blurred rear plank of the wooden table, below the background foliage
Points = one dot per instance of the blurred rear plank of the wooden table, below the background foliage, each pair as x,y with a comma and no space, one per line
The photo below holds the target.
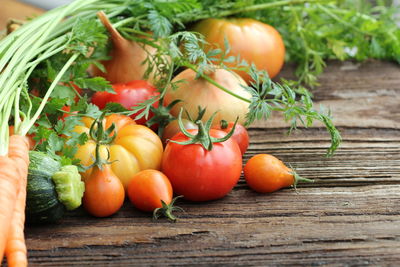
367,96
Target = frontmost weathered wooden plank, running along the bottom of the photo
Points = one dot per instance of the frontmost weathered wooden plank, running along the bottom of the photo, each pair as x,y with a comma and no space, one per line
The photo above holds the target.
352,225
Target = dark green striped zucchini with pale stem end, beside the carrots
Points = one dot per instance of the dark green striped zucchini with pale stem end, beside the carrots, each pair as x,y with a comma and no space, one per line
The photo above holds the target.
43,203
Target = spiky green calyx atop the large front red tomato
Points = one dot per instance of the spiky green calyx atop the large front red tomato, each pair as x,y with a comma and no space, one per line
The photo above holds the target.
202,136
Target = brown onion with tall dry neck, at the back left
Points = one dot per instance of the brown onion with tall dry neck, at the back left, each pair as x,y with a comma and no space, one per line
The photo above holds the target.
128,58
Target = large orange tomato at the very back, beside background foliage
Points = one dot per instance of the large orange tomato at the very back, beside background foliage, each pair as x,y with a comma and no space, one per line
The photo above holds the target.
254,41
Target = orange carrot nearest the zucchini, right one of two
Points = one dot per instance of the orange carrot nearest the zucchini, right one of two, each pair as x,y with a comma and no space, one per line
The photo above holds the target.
16,251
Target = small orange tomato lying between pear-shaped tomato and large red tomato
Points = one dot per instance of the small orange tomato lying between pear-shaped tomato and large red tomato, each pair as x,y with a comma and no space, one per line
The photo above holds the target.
147,188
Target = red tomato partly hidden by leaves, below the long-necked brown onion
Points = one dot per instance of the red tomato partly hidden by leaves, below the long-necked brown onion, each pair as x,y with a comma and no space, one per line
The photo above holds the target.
128,95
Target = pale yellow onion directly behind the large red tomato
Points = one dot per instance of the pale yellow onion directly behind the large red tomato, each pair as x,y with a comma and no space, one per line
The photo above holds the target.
199,92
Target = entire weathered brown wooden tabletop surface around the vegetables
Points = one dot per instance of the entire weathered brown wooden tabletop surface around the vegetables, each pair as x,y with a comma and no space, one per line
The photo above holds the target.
350,216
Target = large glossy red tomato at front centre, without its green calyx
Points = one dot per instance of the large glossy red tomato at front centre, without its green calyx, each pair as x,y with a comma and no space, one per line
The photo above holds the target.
199,174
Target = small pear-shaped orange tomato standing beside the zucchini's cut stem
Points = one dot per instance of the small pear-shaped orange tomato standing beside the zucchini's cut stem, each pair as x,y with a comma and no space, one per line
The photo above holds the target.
104,192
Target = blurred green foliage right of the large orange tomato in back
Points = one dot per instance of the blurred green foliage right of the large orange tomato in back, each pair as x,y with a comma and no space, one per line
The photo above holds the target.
344,30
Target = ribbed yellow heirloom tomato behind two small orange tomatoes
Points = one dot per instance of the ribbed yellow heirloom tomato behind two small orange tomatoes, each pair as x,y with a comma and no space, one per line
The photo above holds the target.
135,148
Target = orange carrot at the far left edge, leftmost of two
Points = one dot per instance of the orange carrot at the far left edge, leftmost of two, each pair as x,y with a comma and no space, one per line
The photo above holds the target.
8,194
